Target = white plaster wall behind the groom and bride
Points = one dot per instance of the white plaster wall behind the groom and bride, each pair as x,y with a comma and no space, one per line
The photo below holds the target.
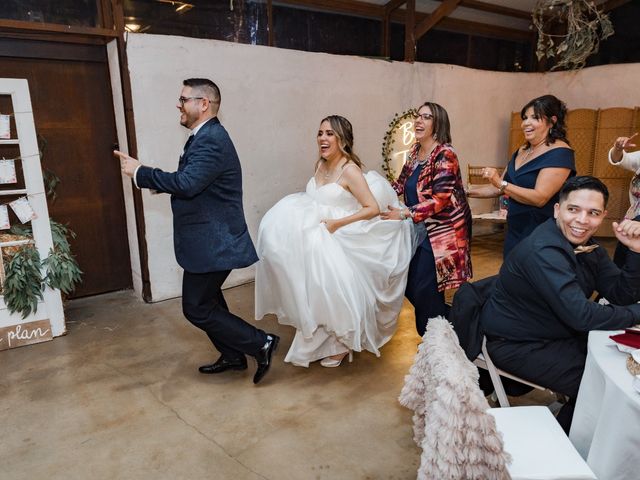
273,100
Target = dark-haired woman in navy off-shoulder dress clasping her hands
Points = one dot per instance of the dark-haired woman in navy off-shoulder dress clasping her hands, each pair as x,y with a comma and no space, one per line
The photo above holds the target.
536,171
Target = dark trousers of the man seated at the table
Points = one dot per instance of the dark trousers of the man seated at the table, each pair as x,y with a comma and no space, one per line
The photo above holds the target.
555,364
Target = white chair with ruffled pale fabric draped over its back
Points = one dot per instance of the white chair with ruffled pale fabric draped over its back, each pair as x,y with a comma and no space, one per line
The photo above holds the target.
537,445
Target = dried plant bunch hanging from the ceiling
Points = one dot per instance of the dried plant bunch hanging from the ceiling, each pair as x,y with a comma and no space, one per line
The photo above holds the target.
584,27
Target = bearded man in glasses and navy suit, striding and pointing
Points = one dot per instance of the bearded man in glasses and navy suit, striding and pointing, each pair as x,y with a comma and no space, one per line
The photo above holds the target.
209,230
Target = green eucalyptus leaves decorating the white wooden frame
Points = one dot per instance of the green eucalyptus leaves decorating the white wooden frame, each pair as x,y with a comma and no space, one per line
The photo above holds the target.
24,284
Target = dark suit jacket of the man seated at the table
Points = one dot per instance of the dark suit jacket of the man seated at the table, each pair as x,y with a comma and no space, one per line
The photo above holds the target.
543,290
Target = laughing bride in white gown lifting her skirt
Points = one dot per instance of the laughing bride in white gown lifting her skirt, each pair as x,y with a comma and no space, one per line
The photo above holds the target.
329,266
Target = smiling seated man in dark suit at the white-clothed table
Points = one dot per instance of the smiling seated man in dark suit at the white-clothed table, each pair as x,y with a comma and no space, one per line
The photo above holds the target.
540,311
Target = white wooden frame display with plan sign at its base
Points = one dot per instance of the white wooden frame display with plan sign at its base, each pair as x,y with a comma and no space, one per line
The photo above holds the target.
48,320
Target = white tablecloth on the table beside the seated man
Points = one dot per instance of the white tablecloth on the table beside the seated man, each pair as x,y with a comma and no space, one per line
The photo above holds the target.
606,423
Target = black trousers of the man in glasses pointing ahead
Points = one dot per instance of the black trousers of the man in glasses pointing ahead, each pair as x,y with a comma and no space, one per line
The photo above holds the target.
203,304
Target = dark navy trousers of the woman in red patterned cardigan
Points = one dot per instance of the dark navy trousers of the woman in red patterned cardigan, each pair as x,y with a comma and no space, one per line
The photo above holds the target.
422,287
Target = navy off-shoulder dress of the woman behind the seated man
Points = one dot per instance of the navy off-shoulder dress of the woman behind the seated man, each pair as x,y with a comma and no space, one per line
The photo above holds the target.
523,219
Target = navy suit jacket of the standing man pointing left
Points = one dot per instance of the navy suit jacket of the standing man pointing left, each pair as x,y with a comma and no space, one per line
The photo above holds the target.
209,230
